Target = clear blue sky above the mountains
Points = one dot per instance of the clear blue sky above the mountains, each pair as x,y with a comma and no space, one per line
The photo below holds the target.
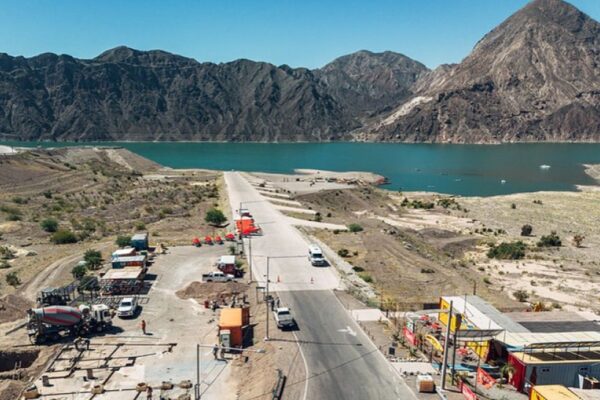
306,33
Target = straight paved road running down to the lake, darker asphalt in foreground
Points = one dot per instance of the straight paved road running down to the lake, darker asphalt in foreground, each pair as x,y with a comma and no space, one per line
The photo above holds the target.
342,362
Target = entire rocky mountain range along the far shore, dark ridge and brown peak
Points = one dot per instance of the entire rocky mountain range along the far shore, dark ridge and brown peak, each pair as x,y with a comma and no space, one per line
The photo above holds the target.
534,77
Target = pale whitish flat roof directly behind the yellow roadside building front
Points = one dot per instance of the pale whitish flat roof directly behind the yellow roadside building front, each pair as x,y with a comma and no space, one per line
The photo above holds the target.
482,315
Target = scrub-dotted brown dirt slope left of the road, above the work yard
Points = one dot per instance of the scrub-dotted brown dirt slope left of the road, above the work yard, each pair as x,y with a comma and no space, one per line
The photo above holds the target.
97,193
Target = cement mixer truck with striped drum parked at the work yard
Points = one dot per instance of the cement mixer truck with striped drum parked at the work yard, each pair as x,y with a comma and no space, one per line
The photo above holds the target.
51,323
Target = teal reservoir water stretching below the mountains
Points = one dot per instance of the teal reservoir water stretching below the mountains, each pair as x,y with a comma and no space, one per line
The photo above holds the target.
469,170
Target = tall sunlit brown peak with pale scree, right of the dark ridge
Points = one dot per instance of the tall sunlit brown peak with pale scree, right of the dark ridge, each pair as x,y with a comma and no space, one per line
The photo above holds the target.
535,77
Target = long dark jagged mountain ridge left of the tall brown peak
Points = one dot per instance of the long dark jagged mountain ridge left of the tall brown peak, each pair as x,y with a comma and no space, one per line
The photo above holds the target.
125,94
